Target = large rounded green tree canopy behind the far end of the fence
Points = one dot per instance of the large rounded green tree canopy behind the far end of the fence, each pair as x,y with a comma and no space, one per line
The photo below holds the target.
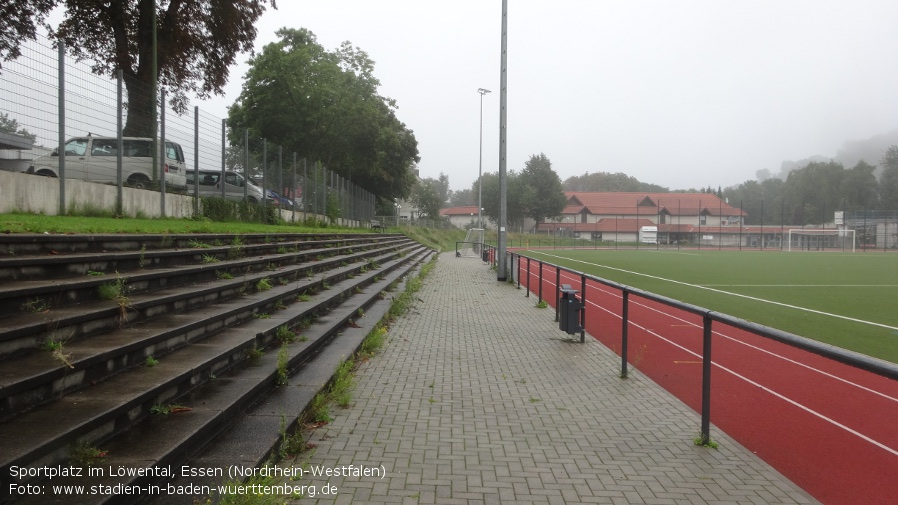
324,106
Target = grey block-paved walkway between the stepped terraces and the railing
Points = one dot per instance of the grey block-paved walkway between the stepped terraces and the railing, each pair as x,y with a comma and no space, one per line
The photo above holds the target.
479,398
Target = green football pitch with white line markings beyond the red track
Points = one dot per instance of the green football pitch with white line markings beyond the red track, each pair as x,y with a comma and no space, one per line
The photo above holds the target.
849,300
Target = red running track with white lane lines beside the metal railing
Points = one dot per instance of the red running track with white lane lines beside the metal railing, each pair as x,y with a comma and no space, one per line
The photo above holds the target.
830,428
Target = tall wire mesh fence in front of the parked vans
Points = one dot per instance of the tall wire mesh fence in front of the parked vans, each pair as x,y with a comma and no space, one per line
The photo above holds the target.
51,104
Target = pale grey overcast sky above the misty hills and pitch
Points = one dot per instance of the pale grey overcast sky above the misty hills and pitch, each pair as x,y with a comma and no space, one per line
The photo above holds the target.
684,94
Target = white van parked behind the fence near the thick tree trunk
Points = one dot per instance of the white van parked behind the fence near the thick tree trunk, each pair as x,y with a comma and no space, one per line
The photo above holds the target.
95,159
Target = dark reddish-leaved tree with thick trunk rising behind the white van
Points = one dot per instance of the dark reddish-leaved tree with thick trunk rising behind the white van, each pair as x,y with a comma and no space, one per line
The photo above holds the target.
197,42
